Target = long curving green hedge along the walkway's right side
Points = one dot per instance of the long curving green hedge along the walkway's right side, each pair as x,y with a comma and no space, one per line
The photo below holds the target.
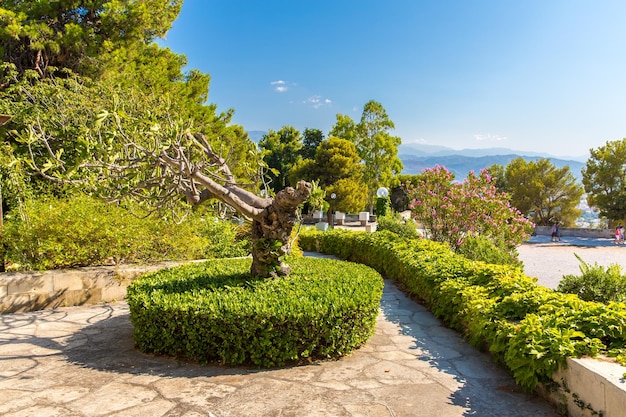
529,328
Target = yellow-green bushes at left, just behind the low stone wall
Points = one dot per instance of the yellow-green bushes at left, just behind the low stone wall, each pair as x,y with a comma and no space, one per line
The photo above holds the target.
84,232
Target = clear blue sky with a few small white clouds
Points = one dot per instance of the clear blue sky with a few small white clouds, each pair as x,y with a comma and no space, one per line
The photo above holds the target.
534,75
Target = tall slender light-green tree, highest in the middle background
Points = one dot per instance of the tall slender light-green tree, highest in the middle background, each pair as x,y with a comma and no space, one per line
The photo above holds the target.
376,146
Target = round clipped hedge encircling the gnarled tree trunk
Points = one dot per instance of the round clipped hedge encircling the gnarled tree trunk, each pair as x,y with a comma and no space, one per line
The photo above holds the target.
217,312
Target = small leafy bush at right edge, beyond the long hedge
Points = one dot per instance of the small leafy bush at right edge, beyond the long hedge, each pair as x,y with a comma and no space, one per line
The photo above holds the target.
596,283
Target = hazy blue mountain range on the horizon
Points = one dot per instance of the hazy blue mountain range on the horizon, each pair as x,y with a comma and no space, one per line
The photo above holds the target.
417,157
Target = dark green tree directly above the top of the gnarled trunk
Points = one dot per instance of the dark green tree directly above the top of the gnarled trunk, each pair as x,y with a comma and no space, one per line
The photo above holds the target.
280,151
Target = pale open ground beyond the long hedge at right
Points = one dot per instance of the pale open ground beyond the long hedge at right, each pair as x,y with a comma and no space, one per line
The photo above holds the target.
549,261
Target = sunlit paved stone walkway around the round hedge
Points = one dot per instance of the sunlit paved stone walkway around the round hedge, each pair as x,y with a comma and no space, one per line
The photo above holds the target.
80,361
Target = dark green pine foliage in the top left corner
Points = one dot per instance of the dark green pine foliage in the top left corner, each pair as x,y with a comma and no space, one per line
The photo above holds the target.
46,34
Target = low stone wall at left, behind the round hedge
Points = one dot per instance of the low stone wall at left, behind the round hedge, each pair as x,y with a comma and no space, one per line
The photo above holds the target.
29,291
